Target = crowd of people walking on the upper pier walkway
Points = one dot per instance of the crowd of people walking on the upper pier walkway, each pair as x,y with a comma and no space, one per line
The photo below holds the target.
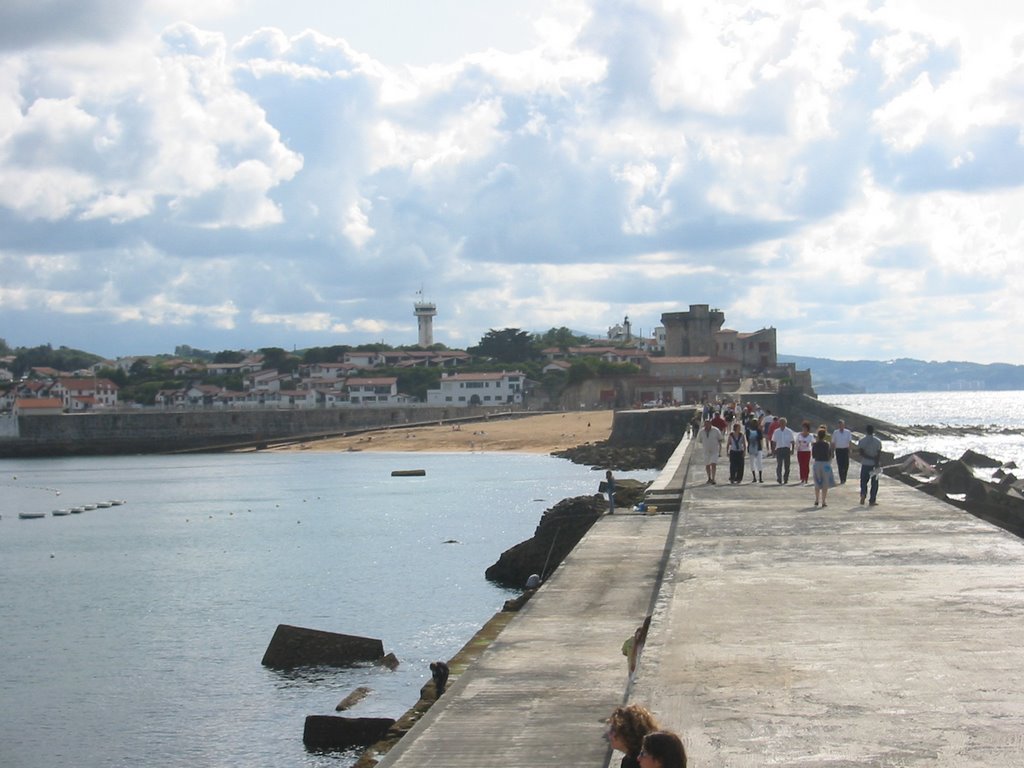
752,433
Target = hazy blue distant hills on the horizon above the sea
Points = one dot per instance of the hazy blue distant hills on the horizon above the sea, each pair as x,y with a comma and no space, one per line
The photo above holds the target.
905,375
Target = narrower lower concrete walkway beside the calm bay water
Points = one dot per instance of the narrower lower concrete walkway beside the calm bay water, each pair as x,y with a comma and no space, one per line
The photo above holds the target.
541,693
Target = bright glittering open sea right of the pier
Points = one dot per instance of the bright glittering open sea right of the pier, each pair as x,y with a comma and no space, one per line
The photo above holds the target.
991,423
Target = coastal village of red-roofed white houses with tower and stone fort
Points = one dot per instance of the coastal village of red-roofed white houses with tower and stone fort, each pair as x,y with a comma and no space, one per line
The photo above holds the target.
691,358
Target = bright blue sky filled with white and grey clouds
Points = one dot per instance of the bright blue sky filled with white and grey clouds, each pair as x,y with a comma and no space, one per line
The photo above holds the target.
238,175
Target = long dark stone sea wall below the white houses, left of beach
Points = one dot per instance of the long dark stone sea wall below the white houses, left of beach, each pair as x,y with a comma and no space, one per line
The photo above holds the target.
169,432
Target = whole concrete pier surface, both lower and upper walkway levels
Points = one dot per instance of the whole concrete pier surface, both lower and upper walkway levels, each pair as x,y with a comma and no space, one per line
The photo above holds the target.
784,634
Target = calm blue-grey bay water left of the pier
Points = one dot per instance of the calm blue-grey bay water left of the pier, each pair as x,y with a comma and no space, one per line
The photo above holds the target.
133,635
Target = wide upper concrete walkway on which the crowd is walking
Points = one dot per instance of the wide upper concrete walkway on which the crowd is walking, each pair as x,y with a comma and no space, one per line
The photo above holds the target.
792,635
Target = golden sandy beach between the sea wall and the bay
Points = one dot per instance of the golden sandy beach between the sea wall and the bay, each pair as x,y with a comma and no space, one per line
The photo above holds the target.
532,435
